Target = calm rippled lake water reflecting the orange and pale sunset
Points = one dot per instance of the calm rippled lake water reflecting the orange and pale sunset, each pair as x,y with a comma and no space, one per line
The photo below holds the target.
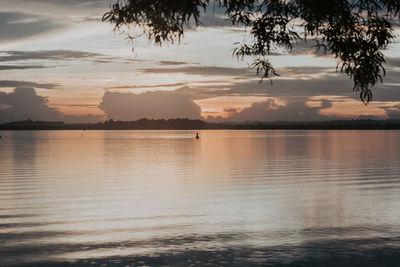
231,198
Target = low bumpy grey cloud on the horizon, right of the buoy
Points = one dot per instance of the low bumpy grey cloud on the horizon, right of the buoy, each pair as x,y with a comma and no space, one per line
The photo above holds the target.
270,111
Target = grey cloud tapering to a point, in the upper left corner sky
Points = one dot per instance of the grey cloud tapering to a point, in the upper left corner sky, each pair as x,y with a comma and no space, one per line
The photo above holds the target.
15,26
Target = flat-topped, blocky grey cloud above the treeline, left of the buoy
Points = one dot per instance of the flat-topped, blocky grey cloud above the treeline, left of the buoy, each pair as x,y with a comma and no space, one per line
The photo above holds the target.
155,104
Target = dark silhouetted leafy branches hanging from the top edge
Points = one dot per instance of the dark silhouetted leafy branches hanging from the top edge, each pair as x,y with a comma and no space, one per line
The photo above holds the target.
354,31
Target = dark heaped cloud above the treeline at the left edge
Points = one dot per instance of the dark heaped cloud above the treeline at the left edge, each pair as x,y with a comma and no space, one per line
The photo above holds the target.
23,103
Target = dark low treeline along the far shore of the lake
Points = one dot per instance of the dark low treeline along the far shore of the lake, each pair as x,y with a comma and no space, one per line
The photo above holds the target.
188,124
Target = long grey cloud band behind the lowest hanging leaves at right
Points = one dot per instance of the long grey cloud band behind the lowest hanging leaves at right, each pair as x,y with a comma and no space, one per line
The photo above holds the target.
299,81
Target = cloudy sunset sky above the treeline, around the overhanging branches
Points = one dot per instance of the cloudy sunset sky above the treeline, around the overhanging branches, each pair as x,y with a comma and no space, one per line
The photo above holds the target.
58,61
